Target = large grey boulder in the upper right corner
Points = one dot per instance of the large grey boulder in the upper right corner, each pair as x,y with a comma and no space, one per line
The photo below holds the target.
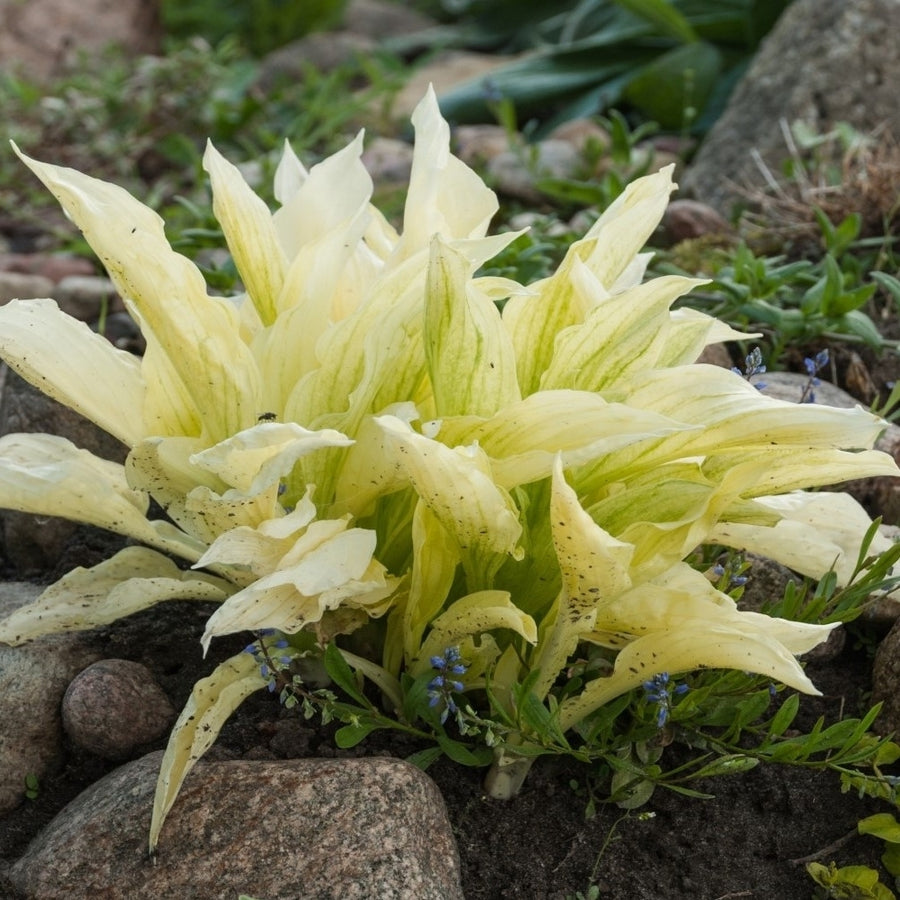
826,61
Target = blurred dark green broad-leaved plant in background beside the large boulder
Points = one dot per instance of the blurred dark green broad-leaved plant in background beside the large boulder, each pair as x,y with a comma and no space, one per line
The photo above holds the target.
676,60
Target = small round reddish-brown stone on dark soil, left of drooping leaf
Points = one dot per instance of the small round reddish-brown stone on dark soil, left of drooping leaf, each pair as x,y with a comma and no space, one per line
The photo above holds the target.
114,707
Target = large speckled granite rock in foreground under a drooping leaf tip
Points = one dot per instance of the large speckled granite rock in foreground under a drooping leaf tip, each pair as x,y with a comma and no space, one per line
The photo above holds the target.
314,829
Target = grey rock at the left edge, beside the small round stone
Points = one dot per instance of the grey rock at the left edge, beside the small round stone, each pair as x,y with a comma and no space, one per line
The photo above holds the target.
33,679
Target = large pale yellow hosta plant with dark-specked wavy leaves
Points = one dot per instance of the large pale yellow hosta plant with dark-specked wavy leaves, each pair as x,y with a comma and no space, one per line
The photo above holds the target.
376,451
